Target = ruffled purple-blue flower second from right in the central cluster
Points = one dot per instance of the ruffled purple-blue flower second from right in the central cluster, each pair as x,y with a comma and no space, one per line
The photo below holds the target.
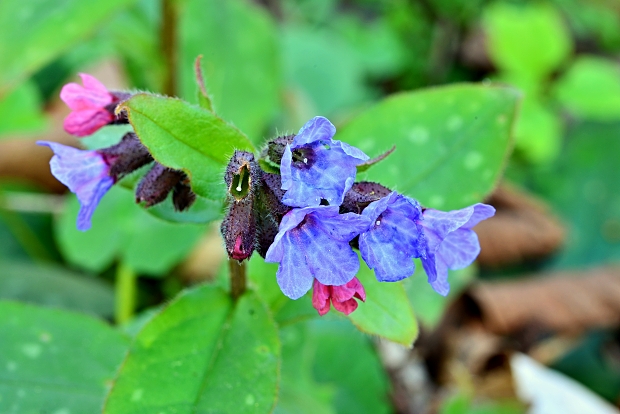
394,238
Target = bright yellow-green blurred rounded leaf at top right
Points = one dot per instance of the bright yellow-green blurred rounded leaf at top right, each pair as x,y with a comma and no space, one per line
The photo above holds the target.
530,39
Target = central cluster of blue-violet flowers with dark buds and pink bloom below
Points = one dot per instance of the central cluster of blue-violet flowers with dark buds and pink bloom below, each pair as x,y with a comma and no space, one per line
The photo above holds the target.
313,214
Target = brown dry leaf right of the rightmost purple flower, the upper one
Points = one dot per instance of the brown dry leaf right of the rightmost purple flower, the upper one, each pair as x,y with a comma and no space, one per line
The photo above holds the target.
522,229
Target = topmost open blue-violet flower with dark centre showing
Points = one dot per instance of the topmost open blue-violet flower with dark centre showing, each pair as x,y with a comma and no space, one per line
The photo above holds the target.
315,167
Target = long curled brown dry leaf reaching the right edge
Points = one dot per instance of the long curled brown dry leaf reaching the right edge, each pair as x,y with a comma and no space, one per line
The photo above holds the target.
564,302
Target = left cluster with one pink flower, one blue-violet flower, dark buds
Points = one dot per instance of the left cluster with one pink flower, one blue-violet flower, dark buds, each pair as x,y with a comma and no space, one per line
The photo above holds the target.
90,174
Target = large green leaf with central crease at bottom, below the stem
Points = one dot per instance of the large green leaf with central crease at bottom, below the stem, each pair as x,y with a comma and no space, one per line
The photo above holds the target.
202,354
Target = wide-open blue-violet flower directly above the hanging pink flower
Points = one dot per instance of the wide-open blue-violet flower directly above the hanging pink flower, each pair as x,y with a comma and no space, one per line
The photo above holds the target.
313,242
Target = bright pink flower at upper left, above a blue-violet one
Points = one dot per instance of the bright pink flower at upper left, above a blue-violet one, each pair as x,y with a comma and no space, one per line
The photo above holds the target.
89,106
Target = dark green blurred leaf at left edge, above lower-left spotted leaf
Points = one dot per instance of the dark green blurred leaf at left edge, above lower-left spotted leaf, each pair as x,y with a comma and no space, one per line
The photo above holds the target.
55,286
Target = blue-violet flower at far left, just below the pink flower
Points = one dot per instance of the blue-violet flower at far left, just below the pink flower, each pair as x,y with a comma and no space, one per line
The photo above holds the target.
86,173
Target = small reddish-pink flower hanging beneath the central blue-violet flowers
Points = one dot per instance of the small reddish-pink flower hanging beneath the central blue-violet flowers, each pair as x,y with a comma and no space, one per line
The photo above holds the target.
342,297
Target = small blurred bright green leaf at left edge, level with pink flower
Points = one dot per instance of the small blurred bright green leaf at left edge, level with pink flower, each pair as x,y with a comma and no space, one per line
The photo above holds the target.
21,111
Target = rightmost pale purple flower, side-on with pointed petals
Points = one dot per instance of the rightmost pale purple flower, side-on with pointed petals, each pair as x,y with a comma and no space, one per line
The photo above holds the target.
450,241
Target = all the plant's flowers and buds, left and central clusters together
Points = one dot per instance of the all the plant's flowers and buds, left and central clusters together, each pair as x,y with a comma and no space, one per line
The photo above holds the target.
308,216
